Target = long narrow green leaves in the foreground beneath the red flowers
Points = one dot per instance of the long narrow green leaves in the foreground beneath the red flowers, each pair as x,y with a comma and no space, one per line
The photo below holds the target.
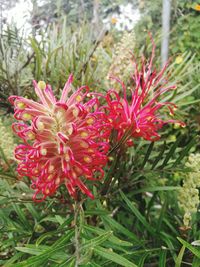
40,234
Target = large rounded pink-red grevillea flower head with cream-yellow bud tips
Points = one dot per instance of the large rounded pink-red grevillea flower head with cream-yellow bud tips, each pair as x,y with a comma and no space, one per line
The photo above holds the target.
63,140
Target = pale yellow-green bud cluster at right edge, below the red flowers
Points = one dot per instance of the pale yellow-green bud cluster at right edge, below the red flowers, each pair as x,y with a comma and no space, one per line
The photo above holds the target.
189,193
